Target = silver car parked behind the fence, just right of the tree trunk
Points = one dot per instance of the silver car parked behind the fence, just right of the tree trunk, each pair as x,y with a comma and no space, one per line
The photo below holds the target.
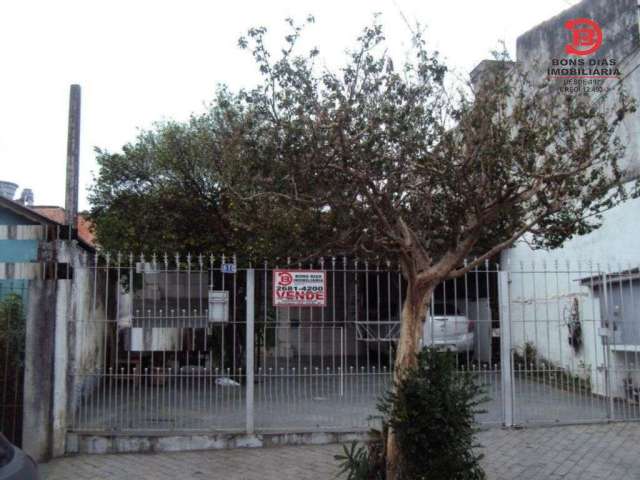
447,328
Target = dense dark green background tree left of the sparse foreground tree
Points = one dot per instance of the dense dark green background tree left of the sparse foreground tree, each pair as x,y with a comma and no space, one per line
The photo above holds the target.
167,192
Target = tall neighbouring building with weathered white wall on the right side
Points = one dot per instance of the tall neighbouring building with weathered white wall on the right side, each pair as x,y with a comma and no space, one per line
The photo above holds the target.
593,277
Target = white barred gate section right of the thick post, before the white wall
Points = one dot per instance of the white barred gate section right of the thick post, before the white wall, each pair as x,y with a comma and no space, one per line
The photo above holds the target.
572,336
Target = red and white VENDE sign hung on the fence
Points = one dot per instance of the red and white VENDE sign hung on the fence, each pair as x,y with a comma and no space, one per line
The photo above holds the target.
299,288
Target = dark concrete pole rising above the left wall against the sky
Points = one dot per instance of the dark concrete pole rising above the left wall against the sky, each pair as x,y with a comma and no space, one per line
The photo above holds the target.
73,158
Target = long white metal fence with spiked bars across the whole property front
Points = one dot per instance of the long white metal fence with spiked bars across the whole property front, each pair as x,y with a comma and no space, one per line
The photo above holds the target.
196,344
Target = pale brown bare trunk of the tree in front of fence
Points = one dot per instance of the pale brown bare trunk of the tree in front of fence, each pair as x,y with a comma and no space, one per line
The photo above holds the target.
413,316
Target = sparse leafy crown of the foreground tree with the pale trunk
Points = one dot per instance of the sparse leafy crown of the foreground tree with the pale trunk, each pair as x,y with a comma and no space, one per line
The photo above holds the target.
394,160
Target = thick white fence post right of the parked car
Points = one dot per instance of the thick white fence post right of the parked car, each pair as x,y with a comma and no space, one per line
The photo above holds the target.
506,370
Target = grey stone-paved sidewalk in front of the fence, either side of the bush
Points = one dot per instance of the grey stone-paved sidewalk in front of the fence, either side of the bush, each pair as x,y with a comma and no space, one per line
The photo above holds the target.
585,452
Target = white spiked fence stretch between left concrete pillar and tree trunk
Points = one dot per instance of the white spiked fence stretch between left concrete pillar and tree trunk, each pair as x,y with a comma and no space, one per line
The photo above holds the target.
196,344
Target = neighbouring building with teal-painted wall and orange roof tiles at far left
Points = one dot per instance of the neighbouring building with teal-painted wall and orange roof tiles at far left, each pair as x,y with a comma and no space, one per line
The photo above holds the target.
41,269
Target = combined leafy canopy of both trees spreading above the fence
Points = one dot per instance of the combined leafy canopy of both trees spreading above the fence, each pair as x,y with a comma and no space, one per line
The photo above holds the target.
372,158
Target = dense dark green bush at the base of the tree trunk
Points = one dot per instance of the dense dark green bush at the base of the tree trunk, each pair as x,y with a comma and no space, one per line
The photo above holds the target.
432,411
